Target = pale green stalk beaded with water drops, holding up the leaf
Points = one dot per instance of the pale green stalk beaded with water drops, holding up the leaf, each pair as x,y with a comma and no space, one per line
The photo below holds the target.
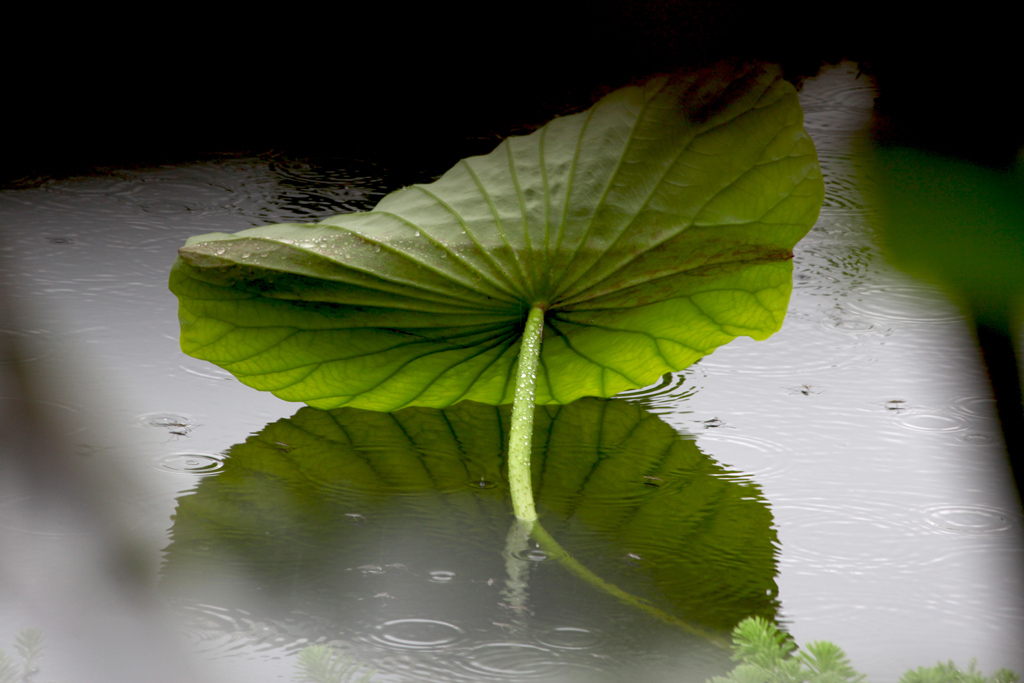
522,437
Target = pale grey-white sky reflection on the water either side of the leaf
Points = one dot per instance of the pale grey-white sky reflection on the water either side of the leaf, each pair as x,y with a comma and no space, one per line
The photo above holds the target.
866,420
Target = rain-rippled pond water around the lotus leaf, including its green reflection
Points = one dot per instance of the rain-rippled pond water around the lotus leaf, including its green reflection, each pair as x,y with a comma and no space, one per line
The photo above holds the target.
844,477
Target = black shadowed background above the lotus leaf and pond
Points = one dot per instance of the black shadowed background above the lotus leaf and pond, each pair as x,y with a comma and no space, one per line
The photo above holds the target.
159,84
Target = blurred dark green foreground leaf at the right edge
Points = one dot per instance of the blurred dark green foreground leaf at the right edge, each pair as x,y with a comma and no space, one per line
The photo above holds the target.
962,226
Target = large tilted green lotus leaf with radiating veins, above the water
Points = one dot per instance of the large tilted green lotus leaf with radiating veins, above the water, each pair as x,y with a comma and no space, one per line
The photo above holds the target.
654,228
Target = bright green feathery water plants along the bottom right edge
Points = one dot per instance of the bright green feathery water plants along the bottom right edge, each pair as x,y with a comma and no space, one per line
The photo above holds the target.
767,656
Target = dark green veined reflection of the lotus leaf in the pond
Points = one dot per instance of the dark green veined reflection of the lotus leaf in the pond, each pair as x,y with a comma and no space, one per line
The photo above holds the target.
625,494
